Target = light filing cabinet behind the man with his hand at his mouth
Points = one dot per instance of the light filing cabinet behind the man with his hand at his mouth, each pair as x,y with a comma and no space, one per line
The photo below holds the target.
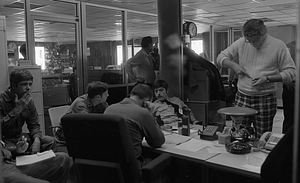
36,92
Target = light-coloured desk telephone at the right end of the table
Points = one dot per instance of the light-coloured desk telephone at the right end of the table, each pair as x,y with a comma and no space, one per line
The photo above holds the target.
269,140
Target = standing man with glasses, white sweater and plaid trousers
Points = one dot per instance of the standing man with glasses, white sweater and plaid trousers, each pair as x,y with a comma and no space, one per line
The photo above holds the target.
260,61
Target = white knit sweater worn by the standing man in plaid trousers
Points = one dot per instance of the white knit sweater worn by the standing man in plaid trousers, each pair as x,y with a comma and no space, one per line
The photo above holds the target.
271,58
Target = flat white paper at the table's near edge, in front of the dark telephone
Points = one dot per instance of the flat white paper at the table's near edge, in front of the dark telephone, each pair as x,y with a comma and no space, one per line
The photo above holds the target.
193,145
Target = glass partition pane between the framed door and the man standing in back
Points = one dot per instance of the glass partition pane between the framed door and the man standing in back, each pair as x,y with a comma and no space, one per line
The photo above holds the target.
102,55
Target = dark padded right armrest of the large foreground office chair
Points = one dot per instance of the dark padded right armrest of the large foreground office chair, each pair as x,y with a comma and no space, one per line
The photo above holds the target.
154,168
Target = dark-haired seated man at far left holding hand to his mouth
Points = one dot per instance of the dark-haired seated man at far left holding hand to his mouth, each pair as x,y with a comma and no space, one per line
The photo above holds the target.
16,109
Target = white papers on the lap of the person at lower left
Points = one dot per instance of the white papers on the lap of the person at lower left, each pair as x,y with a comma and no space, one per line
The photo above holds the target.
34,158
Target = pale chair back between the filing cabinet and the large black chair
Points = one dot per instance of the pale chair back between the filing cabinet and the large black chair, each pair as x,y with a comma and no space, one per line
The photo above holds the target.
55,114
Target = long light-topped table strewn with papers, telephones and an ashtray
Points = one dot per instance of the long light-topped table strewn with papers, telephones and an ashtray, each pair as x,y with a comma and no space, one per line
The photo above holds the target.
209,162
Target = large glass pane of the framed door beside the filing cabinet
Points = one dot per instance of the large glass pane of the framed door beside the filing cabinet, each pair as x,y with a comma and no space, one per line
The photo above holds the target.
55,52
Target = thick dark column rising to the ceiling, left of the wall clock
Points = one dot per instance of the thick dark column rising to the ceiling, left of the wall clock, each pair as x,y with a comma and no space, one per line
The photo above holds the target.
169,27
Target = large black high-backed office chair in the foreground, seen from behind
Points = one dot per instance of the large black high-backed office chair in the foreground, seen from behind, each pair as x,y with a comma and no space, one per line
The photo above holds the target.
102,150
